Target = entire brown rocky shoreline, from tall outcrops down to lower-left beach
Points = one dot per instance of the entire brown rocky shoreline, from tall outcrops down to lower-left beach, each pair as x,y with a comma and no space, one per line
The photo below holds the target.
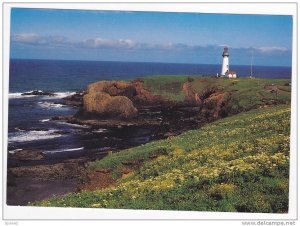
118,106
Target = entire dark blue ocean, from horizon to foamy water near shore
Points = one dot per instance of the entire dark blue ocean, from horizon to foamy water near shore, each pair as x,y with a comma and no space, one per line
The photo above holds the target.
29,124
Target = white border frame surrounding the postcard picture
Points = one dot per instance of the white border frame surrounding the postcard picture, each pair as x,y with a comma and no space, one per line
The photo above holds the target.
26,213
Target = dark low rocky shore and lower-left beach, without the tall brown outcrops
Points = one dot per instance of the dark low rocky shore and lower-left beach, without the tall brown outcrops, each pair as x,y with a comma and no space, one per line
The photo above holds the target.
36,171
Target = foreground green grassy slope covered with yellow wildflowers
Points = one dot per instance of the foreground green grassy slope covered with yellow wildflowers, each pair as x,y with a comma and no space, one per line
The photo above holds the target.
240,163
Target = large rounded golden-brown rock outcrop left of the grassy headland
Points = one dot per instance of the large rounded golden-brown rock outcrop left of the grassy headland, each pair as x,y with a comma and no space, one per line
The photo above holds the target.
116,99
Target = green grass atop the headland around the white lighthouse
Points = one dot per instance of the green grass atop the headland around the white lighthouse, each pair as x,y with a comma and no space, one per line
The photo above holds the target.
246,93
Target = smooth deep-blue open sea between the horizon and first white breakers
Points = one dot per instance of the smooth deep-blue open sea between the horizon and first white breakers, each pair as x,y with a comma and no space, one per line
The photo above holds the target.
62,75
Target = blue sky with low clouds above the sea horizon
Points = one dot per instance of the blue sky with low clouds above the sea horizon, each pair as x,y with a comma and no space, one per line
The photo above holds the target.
197,38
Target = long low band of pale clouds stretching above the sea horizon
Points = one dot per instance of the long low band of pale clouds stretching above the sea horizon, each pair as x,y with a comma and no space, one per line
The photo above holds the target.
54,41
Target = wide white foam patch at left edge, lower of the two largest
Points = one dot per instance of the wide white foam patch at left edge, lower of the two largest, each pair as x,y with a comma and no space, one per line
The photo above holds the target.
24,136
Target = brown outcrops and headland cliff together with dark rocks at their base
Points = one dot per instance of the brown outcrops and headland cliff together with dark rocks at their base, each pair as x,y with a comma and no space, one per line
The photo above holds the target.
118,100
